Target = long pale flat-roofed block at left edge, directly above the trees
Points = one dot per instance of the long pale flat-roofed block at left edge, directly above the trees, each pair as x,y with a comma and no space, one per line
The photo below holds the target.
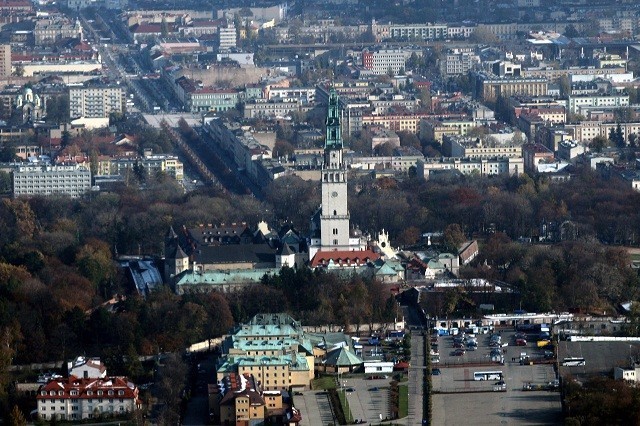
73,181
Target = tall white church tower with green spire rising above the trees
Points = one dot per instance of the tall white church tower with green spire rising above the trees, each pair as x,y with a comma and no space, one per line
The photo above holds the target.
334,218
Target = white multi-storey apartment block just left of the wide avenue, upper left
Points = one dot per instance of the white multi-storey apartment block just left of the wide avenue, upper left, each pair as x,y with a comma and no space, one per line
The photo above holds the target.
96,101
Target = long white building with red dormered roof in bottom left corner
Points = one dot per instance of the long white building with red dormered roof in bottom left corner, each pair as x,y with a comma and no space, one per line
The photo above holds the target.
76,398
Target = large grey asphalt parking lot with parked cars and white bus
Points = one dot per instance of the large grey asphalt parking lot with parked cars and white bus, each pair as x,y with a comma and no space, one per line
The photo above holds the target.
488,402
